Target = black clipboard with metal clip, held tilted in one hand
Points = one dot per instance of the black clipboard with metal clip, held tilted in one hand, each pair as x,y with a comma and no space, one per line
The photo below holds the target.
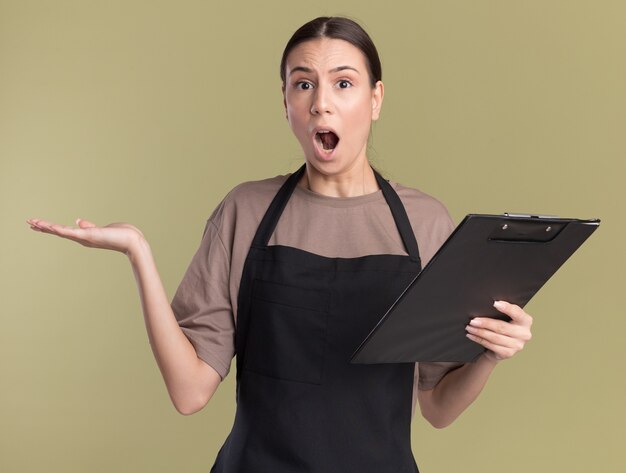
487,258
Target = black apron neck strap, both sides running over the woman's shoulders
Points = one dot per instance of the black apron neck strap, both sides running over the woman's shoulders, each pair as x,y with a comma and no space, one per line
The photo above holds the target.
275,210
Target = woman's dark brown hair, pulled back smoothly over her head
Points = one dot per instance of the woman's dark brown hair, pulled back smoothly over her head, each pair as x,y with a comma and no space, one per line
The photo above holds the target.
336,27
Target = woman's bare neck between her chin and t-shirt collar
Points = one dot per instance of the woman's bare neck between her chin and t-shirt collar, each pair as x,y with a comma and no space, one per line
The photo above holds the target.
351,183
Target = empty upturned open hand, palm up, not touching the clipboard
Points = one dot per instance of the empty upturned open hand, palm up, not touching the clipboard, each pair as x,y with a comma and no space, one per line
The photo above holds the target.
122,237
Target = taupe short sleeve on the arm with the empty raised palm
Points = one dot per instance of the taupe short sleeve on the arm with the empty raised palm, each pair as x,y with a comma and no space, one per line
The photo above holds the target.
202,305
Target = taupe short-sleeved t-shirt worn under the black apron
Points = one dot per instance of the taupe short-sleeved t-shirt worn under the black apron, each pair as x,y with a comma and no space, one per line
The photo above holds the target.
205,302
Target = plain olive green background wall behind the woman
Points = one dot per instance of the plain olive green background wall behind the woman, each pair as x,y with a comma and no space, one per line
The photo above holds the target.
150,111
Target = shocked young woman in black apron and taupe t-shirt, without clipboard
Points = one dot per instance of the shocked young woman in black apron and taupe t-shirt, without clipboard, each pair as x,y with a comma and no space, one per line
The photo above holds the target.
293,272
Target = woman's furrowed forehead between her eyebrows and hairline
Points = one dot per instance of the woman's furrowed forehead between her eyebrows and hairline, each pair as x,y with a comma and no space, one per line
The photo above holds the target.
325,54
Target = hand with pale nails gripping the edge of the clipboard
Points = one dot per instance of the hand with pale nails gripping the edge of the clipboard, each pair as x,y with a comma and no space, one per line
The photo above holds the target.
501,339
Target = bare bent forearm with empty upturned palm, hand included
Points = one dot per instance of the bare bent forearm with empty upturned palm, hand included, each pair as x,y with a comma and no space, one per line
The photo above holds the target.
190,381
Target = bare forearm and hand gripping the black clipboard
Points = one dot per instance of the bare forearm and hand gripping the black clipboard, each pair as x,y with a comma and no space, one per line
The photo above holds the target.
459,388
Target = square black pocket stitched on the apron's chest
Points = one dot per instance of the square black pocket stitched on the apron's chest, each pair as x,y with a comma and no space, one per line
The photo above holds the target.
287,332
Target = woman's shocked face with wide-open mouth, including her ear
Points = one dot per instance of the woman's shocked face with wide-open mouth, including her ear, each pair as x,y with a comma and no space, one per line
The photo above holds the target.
330,103
